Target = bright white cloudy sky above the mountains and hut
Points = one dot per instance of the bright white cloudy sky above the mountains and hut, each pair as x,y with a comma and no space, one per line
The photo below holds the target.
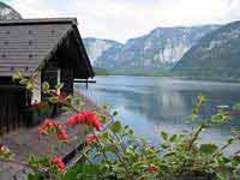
123,19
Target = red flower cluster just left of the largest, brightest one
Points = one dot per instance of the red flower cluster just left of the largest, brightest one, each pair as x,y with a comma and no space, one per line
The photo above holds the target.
50,125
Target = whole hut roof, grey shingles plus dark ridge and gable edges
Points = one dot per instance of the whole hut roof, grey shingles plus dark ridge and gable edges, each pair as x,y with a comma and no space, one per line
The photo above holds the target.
26,44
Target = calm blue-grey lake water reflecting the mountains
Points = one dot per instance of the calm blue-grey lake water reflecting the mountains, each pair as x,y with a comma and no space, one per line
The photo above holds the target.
152,104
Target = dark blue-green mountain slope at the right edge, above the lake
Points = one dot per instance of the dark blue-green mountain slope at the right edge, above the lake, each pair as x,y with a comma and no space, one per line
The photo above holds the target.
215,56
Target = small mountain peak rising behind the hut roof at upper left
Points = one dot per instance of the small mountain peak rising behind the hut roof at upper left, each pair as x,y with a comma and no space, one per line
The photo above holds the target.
8,13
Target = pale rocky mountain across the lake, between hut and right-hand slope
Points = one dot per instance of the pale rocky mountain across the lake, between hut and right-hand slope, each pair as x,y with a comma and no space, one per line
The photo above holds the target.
158,50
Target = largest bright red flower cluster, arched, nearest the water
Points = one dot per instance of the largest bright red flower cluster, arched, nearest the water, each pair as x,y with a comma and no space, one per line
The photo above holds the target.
88,118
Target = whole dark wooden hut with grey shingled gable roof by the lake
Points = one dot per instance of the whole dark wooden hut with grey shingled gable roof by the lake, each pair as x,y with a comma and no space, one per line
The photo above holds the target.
52,46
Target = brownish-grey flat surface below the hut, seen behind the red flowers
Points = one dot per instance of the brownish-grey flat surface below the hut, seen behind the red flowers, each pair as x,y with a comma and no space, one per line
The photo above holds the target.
24,142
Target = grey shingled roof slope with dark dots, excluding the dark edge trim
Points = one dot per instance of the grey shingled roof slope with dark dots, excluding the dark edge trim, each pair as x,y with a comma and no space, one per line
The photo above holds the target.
19,50
